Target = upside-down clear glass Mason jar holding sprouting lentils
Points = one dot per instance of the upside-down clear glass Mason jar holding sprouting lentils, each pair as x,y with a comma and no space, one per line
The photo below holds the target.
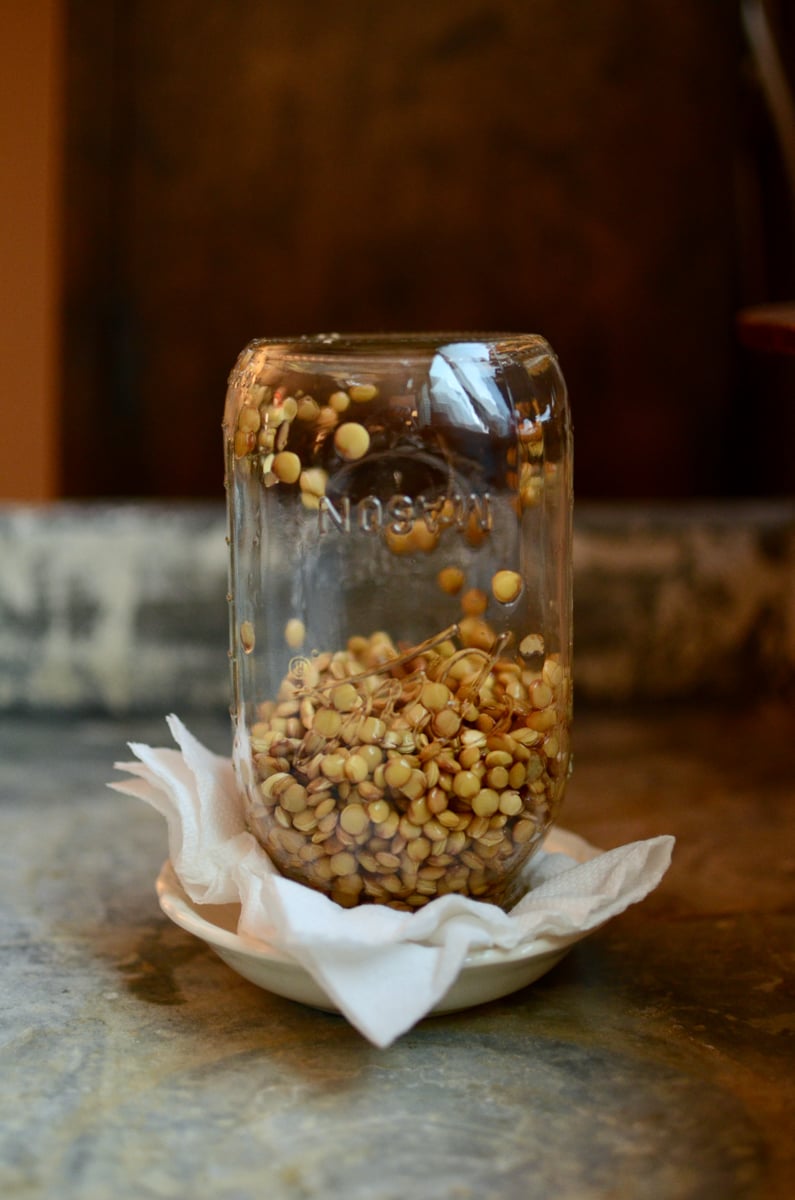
399,526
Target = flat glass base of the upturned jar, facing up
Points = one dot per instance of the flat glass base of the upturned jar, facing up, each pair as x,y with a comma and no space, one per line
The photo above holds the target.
410,346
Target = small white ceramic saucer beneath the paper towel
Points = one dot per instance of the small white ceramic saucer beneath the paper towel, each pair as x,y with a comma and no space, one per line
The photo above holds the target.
485,976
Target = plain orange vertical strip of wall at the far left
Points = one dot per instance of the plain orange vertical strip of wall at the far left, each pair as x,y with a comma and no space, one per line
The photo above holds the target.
31,128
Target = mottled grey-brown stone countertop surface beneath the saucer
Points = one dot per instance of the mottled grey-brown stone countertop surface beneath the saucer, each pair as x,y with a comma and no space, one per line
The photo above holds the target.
654,1063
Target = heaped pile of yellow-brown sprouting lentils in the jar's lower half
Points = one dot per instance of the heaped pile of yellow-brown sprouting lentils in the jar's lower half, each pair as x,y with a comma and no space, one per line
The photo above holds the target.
393,778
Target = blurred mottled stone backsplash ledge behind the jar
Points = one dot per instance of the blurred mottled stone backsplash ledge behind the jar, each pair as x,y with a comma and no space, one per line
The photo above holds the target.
122,608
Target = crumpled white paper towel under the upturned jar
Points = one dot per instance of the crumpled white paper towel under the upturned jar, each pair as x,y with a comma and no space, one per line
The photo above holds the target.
384,969
